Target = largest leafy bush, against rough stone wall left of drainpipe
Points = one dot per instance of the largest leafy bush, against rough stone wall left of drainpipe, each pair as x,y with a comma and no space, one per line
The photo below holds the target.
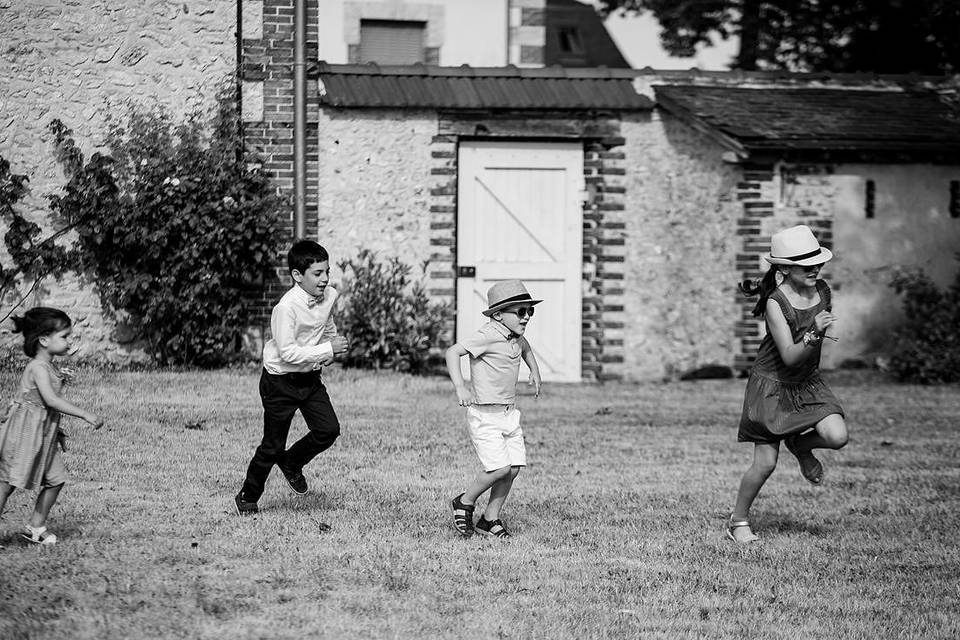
174,227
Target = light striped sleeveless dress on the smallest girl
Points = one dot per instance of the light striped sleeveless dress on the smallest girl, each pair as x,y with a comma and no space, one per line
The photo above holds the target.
29,455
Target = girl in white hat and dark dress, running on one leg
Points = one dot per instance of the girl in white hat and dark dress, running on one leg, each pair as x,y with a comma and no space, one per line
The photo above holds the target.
786,399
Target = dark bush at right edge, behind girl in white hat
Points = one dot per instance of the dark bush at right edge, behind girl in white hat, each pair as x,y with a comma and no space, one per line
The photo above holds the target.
927,345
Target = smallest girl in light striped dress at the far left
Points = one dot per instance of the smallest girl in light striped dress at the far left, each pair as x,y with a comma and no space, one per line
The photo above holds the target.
29,438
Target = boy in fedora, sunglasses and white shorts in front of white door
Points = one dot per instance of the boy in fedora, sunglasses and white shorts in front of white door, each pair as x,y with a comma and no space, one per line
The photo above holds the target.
493,419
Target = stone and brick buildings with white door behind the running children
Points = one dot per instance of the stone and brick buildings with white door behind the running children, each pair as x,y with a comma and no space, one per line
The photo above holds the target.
632,201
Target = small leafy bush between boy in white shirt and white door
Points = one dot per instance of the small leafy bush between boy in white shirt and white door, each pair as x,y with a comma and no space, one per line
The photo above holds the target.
390,320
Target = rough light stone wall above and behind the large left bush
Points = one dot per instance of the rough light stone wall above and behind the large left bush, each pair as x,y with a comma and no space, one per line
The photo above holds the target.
78,60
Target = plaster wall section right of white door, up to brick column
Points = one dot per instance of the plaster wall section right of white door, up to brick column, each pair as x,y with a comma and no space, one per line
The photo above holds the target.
681,245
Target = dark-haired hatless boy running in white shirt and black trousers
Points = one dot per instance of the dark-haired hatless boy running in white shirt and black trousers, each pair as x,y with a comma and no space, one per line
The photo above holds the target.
304,338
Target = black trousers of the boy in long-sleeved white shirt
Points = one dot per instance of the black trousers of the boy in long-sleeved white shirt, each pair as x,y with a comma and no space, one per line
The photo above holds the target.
282,395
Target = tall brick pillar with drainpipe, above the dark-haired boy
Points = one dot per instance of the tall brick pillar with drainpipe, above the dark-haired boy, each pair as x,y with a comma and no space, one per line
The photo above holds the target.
267,76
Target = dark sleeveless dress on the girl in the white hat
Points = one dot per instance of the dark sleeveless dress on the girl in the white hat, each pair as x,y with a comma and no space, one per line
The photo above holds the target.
782,401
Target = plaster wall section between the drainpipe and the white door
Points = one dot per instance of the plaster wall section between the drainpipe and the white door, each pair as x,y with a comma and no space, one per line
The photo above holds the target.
374,184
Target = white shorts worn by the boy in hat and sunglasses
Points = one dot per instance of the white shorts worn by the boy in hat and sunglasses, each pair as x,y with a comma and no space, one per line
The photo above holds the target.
496,435
